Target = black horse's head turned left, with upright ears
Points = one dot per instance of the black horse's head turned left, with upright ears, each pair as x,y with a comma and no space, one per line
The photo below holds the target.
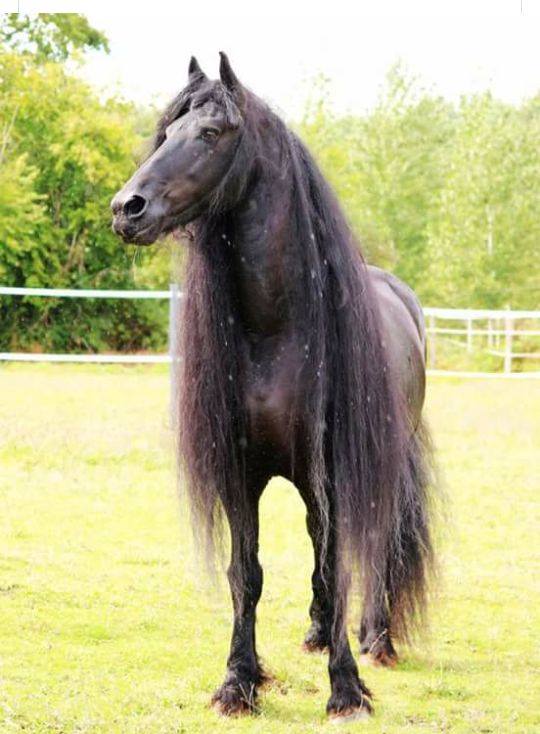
195,144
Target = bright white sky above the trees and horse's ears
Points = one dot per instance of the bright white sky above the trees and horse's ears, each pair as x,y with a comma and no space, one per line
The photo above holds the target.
454,47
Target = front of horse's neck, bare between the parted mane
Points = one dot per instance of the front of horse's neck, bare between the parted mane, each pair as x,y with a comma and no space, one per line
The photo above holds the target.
262,255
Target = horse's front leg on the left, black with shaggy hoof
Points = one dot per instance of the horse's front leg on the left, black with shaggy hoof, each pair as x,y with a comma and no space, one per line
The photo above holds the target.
244,674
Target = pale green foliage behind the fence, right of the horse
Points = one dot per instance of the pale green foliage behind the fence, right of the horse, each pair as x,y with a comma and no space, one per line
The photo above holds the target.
445,195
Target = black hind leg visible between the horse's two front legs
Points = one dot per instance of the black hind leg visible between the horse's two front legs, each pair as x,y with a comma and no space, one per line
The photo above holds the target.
320,610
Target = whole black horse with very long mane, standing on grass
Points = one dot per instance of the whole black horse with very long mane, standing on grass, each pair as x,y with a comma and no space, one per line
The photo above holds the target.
298,360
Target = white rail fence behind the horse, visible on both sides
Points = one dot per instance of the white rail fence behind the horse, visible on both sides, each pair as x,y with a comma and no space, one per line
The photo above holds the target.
494,332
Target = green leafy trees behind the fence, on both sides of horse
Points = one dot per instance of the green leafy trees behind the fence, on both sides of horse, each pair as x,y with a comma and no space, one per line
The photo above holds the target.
445,195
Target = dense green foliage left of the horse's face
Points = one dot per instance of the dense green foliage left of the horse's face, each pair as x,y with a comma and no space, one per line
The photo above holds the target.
64,154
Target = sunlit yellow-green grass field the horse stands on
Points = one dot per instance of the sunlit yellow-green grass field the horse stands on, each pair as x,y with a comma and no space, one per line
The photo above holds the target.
107,625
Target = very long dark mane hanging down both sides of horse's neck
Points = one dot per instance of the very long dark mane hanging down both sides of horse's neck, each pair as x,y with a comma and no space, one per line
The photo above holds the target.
359,435
